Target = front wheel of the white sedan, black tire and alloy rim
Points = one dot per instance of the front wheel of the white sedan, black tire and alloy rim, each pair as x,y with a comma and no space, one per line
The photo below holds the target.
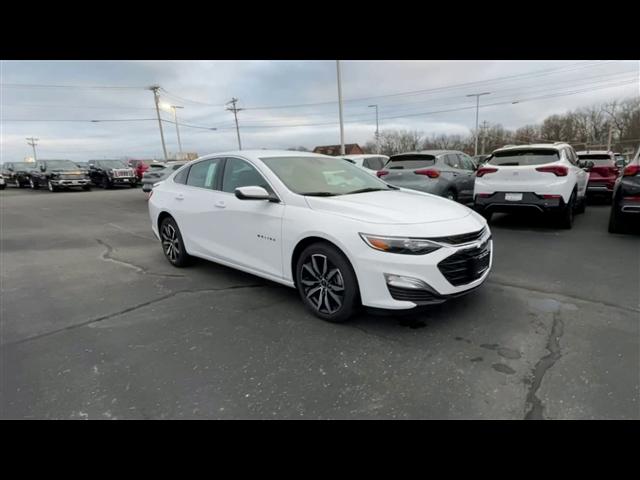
327,283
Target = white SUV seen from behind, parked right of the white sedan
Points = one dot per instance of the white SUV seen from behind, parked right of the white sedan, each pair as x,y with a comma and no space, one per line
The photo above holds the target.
545,177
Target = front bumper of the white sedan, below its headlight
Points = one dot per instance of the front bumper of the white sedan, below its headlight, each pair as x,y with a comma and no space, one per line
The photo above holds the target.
374,268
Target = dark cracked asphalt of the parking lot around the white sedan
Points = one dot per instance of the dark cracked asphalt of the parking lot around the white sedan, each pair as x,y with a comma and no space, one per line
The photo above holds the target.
97,325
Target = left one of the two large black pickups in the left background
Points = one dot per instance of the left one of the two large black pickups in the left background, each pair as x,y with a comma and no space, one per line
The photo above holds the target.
58,174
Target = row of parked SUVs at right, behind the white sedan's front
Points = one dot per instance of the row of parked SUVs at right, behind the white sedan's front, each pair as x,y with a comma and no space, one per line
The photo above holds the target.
550,178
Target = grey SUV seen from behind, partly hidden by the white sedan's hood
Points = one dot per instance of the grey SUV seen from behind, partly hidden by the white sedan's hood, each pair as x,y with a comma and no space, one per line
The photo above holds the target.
447,173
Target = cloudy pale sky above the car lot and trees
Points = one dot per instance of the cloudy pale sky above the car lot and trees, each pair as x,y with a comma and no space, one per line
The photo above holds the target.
286,103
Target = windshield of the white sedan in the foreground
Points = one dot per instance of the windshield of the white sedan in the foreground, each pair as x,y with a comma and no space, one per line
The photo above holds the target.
322,176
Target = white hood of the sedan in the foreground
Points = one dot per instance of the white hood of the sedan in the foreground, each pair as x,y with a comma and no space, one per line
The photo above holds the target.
395,207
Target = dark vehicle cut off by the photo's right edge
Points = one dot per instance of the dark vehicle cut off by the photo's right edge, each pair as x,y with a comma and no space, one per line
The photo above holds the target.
625,206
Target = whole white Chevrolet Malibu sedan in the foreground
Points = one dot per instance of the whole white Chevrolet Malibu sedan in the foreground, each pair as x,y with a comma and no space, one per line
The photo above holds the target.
342,237
